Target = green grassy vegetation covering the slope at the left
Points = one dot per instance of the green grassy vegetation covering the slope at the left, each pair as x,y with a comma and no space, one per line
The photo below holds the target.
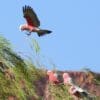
16,75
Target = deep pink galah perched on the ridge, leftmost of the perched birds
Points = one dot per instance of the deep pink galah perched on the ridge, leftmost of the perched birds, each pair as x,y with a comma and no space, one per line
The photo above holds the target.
52,77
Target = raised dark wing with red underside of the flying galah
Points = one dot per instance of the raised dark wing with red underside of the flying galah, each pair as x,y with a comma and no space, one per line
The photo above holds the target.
31,16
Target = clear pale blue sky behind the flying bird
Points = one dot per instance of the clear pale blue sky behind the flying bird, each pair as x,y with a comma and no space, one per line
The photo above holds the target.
75,41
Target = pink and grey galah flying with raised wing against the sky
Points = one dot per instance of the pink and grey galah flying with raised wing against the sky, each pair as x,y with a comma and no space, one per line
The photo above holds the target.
33,22
